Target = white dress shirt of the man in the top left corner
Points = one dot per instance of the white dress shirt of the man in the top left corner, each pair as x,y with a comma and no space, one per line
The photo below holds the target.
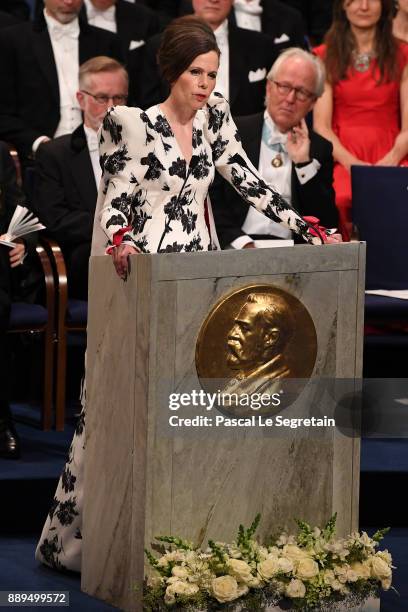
65,45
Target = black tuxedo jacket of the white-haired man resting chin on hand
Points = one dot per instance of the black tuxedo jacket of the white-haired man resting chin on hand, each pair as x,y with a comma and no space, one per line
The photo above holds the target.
316,197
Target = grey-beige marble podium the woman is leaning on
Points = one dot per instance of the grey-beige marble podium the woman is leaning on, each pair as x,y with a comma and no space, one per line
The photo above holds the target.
143,480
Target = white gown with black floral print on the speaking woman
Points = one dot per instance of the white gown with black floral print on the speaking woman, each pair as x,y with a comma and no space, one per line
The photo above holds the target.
151,199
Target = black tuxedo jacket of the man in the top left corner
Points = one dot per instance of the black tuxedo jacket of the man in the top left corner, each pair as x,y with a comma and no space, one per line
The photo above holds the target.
29,103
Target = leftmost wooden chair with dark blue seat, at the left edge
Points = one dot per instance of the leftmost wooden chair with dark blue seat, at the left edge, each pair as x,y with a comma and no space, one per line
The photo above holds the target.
34,318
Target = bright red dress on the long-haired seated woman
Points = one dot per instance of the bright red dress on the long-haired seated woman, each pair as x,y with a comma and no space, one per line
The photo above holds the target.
366,119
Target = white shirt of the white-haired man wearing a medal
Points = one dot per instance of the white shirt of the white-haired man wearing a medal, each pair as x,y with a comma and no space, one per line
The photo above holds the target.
280,178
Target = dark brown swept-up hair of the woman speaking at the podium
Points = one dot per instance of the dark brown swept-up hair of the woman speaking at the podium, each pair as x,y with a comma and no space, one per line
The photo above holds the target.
183,40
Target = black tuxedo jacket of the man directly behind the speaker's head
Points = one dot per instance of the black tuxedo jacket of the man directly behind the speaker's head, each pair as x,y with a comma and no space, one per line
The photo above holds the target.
248,52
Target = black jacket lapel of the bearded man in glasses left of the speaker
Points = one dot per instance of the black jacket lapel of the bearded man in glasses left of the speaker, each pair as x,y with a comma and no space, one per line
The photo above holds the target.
82,171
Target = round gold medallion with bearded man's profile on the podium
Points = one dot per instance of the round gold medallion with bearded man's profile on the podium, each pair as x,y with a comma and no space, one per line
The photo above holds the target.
257,340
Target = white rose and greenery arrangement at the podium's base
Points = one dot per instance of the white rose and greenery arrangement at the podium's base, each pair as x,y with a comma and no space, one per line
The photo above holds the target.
310,571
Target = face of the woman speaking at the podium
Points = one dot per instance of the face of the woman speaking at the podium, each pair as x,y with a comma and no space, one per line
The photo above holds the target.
195,85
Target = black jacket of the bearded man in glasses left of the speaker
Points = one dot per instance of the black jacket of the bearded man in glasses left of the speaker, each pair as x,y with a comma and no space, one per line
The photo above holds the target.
65,189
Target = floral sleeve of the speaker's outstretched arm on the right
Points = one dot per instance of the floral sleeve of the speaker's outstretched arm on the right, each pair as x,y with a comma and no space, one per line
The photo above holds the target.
233,164
